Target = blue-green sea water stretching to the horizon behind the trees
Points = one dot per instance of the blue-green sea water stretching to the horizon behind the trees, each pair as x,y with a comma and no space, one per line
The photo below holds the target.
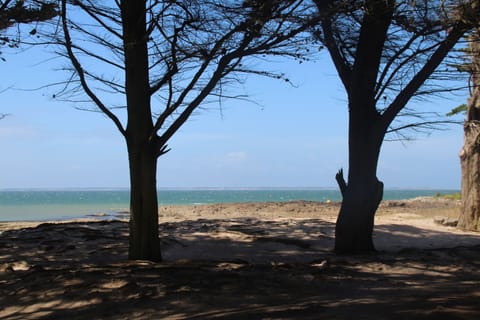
40,205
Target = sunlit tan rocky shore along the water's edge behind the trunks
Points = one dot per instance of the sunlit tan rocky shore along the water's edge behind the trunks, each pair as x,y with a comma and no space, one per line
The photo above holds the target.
298,208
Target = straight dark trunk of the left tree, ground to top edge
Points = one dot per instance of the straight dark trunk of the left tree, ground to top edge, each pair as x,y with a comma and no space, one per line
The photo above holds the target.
142,141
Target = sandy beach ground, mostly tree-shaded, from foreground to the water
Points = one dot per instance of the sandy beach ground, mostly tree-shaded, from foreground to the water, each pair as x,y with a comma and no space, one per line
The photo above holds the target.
244,261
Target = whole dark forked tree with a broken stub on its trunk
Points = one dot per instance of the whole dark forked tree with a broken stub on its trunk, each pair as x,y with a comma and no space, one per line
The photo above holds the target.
384,52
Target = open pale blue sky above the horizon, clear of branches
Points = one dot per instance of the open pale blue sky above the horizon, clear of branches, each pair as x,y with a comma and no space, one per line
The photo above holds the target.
291,137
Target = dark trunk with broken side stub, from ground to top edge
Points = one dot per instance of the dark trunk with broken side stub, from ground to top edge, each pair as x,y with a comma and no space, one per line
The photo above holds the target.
363,192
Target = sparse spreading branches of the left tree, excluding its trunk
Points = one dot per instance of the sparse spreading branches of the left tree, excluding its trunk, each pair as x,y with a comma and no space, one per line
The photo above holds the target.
196,49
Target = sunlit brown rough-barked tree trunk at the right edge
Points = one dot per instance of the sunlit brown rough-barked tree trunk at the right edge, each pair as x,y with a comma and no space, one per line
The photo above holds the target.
470,153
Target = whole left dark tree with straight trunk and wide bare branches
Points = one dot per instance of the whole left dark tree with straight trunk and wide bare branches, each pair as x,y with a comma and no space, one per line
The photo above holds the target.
148,65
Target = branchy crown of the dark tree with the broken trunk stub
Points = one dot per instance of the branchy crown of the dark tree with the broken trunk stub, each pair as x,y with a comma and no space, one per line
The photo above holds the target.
418,33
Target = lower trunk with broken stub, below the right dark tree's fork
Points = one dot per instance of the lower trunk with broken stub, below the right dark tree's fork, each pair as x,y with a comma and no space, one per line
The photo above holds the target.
363,192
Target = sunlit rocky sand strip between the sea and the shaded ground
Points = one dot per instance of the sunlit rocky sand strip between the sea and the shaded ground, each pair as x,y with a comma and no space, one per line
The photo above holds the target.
422,207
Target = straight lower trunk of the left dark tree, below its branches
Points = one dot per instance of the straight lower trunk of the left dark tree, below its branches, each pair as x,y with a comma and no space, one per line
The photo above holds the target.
144,240
